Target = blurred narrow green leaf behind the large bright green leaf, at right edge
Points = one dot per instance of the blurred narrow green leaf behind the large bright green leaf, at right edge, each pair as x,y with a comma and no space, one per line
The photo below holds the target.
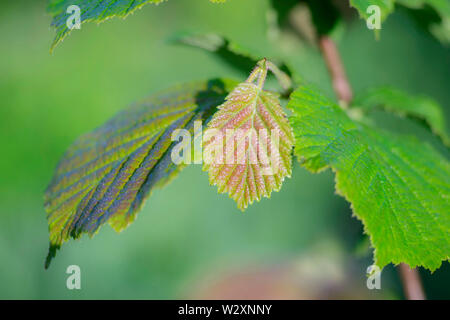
403,104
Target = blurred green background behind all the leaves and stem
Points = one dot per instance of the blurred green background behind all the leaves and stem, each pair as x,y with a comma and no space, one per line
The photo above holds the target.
187,236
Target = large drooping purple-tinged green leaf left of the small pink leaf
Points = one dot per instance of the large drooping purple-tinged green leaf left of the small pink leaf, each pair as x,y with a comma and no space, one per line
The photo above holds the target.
107,174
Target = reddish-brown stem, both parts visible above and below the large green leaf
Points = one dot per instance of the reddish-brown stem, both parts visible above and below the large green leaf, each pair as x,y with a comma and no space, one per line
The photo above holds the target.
412,285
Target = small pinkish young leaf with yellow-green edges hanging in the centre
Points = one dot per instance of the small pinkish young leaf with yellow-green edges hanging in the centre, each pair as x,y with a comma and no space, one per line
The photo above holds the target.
243,156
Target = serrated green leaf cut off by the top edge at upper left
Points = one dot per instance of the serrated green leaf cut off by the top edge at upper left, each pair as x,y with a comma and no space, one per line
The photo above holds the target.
92,10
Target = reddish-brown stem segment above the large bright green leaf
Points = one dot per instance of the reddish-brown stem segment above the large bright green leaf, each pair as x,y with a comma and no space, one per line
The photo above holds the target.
335,67
